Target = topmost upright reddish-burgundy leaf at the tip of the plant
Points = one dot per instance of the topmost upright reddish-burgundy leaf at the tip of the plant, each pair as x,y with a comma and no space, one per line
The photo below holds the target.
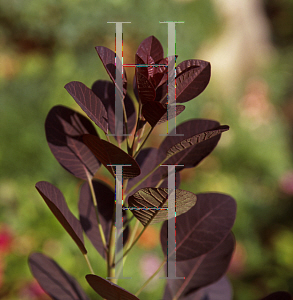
150,47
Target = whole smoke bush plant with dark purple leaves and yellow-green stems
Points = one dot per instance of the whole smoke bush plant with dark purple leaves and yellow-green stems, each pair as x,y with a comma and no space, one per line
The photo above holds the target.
204,242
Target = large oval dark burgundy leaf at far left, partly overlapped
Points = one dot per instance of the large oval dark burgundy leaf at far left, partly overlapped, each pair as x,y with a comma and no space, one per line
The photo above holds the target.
64,129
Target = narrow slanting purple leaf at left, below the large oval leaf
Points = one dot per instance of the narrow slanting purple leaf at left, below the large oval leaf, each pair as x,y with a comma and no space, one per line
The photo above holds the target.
56,202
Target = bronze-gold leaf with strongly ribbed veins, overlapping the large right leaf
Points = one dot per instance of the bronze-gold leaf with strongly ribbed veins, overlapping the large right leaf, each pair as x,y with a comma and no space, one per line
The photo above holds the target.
146,198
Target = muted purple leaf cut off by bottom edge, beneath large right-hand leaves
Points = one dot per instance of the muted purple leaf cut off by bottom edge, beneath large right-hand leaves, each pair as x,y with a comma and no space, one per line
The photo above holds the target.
220,290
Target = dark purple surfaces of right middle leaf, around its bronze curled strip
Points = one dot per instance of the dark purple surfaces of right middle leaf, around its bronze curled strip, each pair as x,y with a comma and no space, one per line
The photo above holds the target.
196,153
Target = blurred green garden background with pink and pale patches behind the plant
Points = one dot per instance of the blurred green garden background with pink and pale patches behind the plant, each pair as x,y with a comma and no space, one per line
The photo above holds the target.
45,44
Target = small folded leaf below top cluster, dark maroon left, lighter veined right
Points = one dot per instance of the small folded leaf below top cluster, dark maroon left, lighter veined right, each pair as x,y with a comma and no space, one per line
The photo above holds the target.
156,113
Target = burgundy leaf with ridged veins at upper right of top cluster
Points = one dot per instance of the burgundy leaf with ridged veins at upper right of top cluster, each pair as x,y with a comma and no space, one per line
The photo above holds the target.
192,78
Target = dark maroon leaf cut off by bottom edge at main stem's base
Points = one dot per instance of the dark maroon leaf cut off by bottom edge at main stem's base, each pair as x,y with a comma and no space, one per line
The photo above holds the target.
107,289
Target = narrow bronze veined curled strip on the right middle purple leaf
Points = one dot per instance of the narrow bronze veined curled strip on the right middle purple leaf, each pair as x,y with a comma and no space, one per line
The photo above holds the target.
196,139
